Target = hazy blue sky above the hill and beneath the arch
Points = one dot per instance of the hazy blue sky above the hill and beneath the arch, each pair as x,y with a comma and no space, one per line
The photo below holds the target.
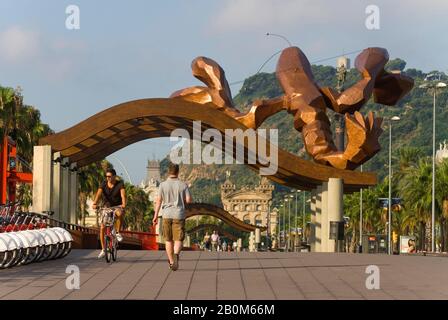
127,50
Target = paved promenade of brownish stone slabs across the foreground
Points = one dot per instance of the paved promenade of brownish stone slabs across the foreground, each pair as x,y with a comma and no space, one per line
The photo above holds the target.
207,275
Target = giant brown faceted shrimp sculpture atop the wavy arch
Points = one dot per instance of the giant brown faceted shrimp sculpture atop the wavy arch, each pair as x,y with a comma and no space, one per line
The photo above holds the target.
308,103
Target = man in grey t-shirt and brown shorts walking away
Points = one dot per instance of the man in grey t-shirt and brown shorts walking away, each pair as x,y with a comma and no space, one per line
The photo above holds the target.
171,200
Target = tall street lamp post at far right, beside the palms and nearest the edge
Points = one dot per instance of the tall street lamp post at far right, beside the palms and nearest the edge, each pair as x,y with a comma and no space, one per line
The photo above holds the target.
434,85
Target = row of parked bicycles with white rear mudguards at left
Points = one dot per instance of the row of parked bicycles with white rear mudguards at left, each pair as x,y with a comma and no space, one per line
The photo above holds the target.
26,237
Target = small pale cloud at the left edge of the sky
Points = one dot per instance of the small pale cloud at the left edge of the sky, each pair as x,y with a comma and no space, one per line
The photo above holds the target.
18,44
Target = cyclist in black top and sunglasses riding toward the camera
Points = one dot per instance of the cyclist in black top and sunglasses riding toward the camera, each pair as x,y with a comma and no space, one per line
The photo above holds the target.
114,195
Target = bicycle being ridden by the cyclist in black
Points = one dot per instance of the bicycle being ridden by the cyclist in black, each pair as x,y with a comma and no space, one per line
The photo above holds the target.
110,239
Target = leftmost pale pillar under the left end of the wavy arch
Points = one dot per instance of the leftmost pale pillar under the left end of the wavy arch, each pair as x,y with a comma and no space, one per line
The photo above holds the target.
41,178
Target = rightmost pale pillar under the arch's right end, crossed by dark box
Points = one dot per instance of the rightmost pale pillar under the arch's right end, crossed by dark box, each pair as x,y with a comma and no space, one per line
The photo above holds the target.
335,205
